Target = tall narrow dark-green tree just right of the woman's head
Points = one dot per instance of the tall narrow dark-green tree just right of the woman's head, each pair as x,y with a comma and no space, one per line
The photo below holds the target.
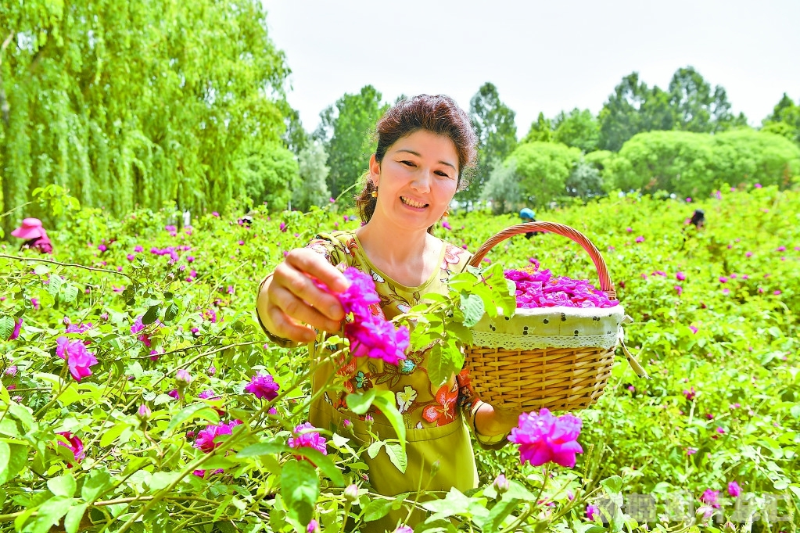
497,135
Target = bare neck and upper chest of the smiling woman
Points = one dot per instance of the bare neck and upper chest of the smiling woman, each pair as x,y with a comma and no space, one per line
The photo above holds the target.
408,257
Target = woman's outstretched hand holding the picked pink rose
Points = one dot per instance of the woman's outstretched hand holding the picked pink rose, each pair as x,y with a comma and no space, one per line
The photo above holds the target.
289,303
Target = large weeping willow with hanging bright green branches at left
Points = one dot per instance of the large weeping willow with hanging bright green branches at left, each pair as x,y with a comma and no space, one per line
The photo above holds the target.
133,104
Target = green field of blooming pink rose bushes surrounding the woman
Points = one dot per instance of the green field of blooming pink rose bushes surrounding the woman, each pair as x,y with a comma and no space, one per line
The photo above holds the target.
140,394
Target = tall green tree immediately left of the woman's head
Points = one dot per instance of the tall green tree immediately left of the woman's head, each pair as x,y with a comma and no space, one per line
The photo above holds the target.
346,132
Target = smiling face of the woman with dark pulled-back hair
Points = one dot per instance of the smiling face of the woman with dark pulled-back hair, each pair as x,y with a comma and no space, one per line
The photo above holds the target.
416,180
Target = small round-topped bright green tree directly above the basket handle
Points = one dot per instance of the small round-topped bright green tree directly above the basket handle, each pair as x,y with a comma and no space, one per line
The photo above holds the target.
543,169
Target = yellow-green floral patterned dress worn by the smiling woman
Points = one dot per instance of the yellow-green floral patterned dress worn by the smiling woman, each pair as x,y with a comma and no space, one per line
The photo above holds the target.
440,454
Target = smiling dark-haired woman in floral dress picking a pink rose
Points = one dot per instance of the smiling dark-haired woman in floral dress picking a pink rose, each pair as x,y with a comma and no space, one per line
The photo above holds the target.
425,145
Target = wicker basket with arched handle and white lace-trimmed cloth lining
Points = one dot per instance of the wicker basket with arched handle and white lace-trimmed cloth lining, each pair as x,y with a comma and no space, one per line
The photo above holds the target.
523,371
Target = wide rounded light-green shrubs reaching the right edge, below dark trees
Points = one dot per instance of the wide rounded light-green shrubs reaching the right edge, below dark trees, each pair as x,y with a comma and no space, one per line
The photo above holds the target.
692,164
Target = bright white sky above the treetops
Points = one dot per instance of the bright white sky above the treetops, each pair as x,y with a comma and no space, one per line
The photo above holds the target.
542,56
